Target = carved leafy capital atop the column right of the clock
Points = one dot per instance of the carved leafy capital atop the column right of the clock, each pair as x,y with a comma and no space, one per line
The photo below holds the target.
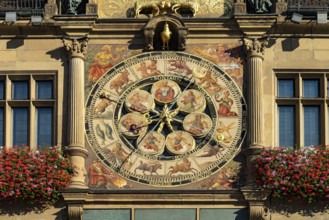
255,47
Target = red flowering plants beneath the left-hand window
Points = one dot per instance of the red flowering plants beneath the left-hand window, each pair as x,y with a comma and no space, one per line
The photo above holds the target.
37,177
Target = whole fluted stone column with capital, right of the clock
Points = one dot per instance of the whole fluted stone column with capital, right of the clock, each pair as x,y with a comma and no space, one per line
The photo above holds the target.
255,49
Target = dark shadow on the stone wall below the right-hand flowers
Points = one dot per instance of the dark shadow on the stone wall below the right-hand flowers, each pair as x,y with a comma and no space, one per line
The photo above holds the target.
301,208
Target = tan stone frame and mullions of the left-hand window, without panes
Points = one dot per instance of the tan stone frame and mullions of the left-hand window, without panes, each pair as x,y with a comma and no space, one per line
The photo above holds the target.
32,103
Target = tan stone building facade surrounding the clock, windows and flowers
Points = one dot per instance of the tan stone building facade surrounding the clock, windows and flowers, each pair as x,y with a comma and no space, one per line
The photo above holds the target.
76,51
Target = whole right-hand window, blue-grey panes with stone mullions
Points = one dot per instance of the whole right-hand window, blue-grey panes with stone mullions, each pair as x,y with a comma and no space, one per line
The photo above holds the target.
302,106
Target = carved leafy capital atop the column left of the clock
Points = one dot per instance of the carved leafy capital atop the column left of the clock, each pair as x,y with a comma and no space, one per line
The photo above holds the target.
76,47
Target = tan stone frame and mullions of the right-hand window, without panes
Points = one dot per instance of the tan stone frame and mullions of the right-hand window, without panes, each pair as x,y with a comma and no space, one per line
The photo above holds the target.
299,102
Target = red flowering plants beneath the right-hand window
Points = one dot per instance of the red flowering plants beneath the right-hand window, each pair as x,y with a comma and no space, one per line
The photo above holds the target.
294,174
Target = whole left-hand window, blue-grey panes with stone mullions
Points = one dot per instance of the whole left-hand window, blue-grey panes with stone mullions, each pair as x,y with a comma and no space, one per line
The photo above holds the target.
27,111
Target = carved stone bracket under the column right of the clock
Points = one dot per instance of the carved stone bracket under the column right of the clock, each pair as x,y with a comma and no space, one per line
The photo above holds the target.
257,199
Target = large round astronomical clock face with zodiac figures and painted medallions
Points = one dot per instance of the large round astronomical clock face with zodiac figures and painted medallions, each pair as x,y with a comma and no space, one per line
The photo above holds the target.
165,119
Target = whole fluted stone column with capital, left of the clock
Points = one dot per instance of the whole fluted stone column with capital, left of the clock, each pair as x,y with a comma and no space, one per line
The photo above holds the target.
76,48
